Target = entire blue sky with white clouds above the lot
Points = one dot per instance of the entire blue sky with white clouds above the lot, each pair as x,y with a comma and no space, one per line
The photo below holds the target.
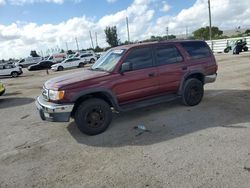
45,24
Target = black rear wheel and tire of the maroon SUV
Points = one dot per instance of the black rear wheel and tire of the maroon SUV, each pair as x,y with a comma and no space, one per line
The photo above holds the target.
193,91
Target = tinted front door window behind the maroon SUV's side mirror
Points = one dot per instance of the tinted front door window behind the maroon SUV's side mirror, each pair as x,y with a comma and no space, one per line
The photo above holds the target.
140,58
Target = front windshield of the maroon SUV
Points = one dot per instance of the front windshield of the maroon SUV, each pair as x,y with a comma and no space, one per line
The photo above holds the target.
108,61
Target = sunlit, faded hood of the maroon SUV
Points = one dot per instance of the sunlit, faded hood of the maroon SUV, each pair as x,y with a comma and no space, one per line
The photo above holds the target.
68,79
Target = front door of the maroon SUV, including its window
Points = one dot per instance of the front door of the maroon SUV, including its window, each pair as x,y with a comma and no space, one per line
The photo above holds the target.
141,81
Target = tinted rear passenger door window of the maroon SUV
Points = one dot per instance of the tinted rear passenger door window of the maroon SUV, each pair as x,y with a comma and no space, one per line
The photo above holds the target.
167,55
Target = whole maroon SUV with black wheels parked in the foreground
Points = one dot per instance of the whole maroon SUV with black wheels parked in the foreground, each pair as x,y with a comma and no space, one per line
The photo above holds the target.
129,77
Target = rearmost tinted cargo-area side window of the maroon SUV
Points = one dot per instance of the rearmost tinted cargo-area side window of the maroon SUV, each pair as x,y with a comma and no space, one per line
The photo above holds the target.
196,49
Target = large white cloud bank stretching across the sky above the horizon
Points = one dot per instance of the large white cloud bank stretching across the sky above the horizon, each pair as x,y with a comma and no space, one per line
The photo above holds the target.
17,39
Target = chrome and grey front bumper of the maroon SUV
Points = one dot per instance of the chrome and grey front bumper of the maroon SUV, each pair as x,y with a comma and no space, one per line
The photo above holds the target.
53,112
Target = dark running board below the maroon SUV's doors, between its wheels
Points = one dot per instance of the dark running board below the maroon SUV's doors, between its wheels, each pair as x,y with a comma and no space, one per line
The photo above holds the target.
149,102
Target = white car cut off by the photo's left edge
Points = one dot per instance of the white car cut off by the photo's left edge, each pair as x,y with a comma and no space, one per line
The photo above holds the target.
10,70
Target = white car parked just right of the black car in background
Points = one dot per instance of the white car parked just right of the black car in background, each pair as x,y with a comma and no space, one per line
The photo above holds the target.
69,63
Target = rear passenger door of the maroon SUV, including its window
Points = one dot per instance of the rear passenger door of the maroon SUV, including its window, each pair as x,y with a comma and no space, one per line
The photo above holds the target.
170,66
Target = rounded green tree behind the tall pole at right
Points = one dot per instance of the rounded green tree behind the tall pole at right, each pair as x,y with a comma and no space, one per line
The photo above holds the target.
203,33
